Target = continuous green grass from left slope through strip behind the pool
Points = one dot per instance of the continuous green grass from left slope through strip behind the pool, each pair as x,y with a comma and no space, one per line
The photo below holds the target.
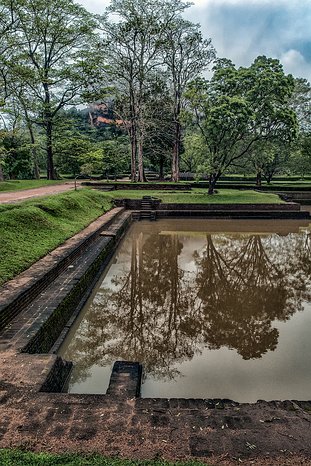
30,229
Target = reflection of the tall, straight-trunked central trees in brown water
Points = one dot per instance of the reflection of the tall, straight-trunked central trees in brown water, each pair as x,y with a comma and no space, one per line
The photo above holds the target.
146,315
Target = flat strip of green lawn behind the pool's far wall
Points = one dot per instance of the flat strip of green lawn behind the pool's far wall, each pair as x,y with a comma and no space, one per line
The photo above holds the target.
200,196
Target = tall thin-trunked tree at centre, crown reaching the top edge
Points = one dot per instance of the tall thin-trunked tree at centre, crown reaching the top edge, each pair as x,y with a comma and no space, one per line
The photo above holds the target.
135,34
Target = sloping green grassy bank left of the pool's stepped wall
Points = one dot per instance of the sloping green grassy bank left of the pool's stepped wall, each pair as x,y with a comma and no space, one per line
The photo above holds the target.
31,229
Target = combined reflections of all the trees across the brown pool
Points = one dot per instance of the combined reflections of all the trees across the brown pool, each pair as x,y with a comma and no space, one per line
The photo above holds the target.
159,314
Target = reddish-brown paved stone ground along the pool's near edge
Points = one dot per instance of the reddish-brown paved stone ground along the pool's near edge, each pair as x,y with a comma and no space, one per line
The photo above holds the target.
214,432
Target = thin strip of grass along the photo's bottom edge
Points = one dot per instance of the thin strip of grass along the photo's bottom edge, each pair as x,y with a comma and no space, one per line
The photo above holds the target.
18,458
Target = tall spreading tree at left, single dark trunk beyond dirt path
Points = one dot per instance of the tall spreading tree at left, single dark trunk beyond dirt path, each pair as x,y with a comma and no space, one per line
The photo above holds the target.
50,45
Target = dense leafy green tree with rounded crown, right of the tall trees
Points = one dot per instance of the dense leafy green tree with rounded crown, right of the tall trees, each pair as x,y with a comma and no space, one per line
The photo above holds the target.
238,108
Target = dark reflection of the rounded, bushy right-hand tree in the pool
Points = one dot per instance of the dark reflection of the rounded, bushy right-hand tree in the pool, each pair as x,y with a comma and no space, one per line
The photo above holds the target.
242,292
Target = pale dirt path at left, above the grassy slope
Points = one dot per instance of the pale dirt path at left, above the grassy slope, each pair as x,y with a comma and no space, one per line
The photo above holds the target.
16,196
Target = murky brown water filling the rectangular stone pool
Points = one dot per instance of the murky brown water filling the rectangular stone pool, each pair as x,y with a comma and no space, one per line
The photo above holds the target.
212,309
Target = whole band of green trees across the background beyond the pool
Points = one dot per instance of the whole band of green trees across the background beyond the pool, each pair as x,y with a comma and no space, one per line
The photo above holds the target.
127,91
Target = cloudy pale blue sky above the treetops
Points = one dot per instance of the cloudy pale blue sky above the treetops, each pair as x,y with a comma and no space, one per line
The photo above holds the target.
243,29
